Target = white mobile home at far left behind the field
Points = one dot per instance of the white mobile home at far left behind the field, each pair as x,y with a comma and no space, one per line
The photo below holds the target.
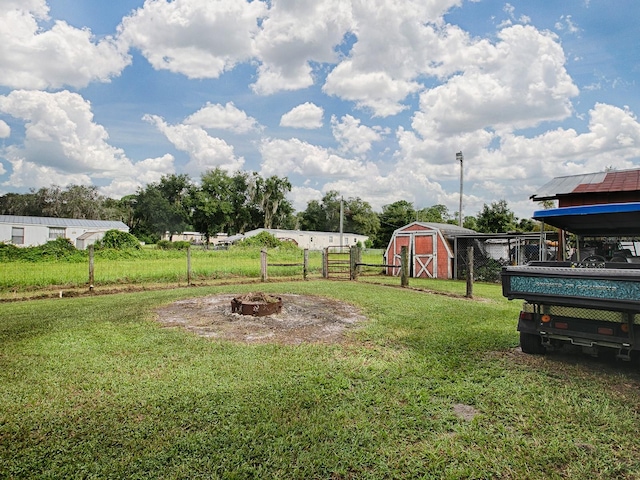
31,231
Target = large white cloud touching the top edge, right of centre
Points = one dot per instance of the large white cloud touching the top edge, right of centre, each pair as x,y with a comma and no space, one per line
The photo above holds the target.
384,64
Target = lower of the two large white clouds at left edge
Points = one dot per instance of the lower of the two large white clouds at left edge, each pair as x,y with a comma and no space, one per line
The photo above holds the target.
61,136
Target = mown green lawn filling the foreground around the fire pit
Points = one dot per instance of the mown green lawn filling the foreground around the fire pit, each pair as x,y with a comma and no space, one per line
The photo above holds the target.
429,387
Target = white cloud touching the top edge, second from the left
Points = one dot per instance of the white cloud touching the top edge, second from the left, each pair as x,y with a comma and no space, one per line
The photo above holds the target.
197,38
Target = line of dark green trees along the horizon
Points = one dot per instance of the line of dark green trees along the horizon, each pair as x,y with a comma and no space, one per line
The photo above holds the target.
221,202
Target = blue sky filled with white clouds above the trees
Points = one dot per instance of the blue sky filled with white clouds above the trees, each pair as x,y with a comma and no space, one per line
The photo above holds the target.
371,98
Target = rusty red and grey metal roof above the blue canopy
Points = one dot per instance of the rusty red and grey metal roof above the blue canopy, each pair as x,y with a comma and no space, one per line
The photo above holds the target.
602,182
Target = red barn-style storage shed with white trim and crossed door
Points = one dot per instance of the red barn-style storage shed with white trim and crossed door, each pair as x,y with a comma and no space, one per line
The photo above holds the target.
429,247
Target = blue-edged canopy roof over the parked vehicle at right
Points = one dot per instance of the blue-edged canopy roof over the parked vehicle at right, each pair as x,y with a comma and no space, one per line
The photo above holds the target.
602,219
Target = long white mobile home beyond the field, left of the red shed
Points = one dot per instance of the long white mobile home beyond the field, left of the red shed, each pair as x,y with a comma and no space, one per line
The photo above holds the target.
307,239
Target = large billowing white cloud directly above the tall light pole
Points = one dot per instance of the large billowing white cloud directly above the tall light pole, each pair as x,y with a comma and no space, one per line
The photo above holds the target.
521,83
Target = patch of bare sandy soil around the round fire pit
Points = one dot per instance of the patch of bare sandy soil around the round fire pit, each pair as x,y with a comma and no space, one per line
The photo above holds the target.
303,319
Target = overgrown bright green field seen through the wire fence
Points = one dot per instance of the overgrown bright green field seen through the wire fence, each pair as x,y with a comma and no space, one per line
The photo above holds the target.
150,265
